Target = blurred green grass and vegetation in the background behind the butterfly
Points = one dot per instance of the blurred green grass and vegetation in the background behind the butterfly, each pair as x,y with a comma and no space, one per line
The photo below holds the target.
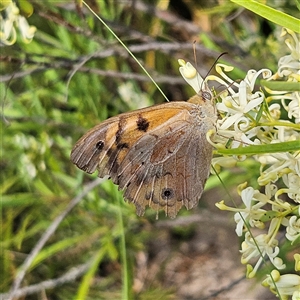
73,75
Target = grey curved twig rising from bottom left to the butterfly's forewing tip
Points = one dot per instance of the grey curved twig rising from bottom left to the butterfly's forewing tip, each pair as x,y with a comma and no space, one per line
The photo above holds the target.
44,238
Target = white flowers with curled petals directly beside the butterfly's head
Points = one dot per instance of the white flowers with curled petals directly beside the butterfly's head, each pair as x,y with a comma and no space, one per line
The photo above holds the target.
241,108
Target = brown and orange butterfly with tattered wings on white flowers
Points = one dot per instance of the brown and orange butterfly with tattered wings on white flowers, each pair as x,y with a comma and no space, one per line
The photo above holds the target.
158,155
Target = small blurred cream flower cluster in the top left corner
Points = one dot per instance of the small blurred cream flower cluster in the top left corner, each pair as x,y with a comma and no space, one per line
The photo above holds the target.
10,19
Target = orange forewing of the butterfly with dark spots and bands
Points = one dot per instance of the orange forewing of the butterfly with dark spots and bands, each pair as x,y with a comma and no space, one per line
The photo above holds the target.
99,146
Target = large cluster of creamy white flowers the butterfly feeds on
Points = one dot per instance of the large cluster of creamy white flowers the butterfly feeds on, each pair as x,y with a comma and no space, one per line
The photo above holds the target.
251,118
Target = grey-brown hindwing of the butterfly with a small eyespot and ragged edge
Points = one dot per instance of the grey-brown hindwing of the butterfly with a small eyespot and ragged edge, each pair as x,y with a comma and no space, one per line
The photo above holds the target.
149,173
